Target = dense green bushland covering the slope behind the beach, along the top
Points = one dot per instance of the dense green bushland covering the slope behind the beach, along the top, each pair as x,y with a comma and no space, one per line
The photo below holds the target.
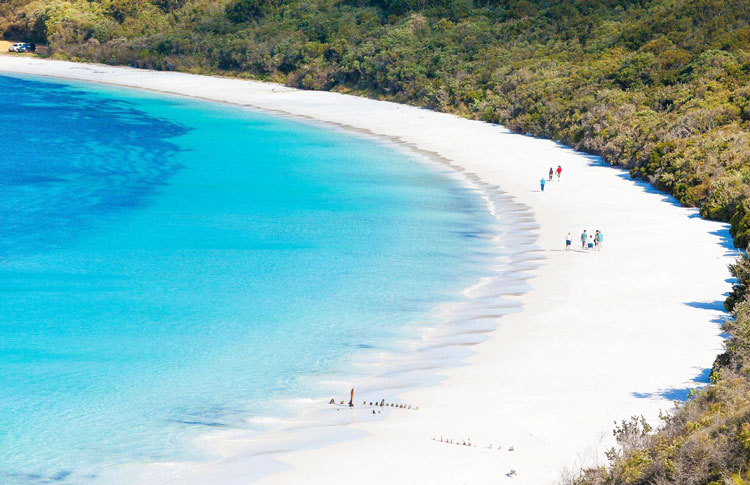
657,86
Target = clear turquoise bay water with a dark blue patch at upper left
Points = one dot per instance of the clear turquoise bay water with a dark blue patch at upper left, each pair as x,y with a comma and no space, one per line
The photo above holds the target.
169,266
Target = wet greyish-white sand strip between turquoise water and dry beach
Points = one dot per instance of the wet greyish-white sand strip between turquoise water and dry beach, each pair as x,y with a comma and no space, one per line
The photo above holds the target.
440,338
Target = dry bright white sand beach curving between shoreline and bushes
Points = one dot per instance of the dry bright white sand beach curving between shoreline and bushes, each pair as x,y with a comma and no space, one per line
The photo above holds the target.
600,336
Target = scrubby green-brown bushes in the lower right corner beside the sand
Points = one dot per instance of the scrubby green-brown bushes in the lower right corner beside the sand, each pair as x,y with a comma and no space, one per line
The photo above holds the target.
706,441
